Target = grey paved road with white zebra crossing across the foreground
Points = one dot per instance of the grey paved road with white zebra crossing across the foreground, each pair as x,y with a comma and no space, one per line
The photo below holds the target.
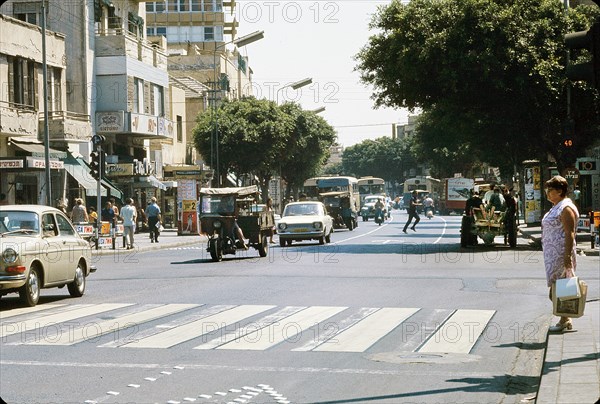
376,316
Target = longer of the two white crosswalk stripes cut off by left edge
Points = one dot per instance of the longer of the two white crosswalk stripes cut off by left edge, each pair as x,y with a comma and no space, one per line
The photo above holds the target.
51,320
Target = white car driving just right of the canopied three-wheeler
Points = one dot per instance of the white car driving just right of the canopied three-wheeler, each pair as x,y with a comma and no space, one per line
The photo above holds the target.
307,220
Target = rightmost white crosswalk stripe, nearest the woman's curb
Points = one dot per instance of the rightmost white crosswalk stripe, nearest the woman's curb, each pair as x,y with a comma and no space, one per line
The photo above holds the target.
459,333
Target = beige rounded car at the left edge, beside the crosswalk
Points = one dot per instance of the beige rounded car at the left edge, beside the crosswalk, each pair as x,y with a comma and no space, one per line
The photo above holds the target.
40,249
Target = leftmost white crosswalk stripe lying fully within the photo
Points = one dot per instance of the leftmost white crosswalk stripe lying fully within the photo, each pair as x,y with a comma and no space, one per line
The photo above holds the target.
97,329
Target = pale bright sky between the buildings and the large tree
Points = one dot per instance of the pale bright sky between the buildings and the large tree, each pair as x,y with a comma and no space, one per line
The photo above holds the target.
318,40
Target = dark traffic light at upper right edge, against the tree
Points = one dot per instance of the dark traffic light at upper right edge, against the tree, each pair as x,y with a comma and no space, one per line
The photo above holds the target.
586,71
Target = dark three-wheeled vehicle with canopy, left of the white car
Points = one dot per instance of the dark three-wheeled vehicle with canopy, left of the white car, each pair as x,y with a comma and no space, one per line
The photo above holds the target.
224,211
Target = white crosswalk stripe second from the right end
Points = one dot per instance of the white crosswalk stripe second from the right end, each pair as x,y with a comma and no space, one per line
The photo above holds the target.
361,336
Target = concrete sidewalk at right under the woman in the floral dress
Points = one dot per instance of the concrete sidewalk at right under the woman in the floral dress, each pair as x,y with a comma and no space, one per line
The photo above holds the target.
571,371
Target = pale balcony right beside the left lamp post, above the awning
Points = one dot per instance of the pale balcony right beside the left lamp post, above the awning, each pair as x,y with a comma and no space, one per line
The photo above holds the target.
67,126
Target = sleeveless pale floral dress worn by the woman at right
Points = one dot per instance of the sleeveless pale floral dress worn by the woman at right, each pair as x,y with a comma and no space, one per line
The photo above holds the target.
553,241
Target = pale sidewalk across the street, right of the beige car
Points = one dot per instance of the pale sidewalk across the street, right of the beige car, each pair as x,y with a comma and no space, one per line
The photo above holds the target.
167,239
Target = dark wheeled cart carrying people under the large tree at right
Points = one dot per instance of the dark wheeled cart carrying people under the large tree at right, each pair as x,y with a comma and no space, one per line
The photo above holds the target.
487,226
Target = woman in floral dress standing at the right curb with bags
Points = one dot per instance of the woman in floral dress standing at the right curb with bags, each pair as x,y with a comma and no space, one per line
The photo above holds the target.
558,239
